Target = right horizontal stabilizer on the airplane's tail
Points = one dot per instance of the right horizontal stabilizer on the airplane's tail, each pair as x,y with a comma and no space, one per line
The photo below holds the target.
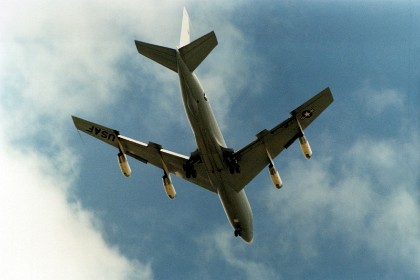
195,52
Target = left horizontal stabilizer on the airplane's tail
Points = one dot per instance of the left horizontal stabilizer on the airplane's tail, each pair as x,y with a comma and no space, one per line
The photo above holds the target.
162,55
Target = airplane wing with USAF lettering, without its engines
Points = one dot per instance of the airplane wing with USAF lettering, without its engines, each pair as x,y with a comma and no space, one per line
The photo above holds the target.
147,153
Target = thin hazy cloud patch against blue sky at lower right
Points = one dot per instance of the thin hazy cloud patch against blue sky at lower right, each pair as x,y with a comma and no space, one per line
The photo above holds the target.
372,201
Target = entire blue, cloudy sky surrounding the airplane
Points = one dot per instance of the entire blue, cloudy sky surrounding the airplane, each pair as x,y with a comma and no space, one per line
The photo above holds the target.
350,212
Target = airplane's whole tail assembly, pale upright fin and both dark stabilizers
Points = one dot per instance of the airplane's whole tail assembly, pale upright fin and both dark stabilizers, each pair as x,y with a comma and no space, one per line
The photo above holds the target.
191,53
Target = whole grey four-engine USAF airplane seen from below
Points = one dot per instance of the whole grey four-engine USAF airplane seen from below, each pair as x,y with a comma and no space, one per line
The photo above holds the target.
213,166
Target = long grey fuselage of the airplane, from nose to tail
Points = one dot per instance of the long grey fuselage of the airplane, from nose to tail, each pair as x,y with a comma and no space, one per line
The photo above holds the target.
212,148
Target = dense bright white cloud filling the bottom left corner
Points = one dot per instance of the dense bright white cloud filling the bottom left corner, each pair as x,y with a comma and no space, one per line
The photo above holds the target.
45,234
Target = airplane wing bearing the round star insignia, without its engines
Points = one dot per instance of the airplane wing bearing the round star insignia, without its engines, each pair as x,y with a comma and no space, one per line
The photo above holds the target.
254,157
